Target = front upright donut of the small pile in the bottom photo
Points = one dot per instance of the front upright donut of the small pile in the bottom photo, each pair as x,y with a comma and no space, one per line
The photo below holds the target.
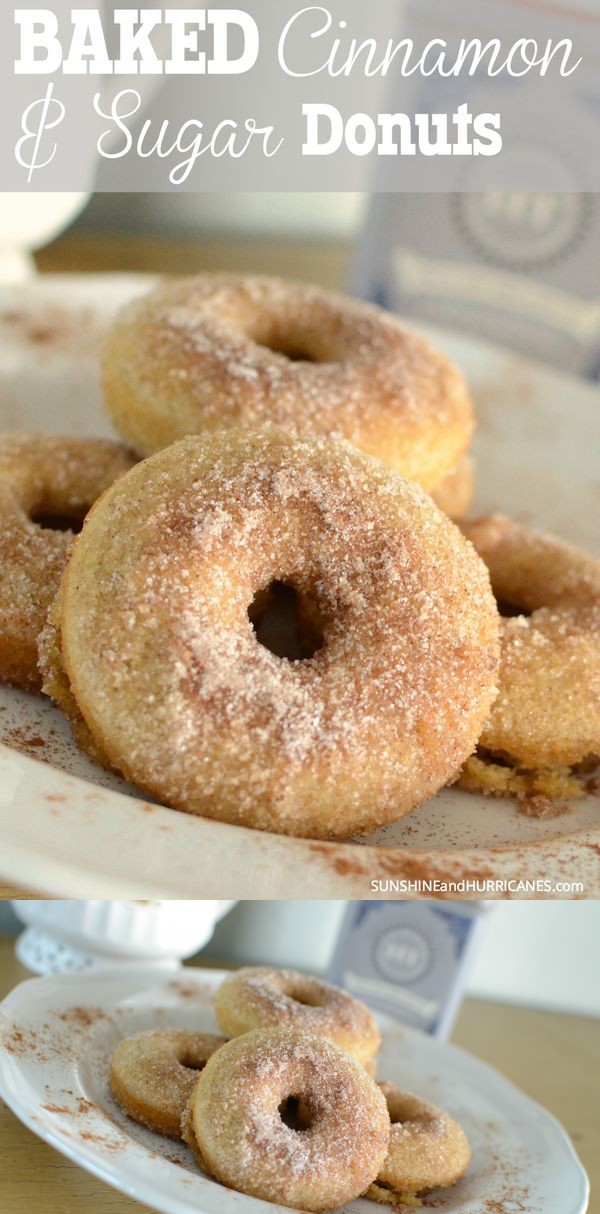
291,1119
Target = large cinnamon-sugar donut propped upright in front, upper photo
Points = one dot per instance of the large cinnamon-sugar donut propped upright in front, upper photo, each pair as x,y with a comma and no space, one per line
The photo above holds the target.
169,676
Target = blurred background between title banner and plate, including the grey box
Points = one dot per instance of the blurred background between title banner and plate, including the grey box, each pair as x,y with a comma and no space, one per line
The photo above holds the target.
517,269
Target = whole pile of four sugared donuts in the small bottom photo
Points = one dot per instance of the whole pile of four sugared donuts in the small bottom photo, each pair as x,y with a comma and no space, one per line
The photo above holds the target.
286,1109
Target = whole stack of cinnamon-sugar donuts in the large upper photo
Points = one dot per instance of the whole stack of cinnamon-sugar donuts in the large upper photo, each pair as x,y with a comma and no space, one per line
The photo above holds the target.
267,619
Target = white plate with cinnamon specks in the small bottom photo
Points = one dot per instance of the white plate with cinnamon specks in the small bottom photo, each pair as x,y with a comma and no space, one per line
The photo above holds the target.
56,1037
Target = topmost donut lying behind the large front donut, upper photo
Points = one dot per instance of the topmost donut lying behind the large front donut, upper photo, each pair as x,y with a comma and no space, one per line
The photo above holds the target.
224,350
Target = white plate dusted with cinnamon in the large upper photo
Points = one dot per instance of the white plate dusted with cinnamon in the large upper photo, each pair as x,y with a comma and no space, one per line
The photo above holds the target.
67,829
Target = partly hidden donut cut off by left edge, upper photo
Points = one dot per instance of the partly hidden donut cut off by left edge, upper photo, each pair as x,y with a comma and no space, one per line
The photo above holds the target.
47,487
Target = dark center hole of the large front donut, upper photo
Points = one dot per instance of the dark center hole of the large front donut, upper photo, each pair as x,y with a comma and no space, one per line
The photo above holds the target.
287,622
